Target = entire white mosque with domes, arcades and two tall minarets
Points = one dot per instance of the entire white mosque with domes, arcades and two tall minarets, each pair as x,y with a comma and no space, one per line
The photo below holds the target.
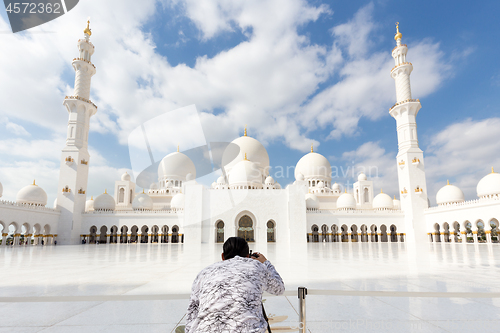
246,201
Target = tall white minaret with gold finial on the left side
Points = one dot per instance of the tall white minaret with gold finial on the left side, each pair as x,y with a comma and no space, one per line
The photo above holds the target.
73,176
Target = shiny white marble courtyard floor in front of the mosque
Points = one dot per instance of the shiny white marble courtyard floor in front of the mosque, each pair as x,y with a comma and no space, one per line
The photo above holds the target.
71,281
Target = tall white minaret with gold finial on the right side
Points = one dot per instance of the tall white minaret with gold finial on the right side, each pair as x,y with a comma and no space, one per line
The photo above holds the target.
410,158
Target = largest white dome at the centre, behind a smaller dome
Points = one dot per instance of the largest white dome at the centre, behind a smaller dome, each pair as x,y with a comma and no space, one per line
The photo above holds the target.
254,151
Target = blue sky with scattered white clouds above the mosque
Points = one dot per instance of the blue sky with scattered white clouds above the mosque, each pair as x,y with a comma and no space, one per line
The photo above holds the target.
295,71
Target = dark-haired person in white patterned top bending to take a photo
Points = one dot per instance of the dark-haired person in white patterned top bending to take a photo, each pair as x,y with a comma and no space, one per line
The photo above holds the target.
227,296
